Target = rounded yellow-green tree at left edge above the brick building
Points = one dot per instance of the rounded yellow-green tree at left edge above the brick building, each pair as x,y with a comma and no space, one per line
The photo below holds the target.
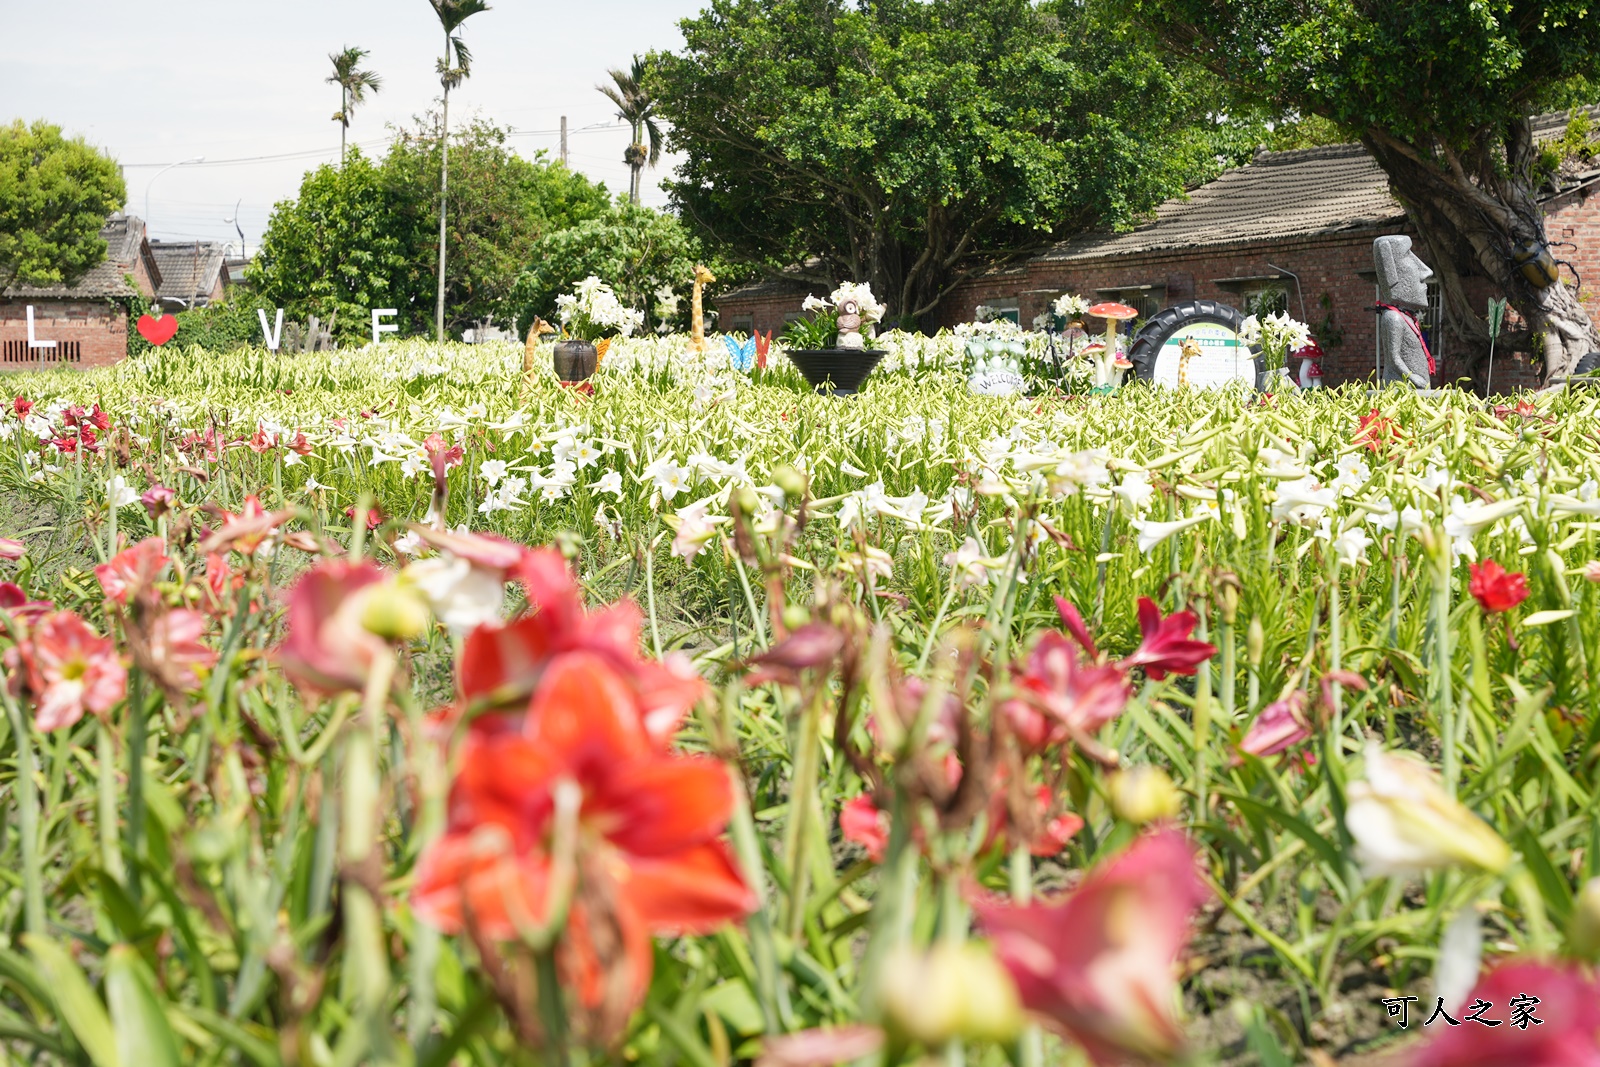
55,196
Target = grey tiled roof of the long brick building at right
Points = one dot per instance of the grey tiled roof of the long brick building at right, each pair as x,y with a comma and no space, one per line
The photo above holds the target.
1281,194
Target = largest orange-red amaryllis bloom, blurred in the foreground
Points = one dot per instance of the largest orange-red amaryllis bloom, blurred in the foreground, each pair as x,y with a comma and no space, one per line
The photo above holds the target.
649,825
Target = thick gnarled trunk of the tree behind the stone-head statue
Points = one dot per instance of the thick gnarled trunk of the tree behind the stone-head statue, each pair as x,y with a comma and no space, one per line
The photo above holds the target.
1473,212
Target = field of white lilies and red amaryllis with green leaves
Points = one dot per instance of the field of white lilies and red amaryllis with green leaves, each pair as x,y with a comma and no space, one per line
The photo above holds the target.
391,706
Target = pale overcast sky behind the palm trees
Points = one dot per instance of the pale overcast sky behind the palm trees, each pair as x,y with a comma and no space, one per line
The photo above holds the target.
230,81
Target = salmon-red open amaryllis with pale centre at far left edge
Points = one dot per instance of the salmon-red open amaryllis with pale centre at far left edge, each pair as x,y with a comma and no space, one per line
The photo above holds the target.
68,669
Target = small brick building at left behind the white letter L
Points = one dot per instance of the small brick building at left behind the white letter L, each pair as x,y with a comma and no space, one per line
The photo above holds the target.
86,321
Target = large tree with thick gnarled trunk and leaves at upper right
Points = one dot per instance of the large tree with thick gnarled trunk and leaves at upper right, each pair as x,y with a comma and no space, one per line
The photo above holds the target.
1441,92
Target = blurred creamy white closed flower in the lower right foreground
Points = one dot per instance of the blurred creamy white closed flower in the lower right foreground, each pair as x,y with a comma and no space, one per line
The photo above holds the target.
1406,823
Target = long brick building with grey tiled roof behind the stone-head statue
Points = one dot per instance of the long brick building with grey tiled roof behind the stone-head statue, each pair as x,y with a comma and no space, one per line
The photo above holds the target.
1290,231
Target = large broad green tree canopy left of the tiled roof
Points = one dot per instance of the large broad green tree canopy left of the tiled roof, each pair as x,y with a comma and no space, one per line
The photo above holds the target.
910,143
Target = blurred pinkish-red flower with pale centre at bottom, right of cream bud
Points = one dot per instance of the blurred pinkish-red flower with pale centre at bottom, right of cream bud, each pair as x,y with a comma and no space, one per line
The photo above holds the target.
1098,964
